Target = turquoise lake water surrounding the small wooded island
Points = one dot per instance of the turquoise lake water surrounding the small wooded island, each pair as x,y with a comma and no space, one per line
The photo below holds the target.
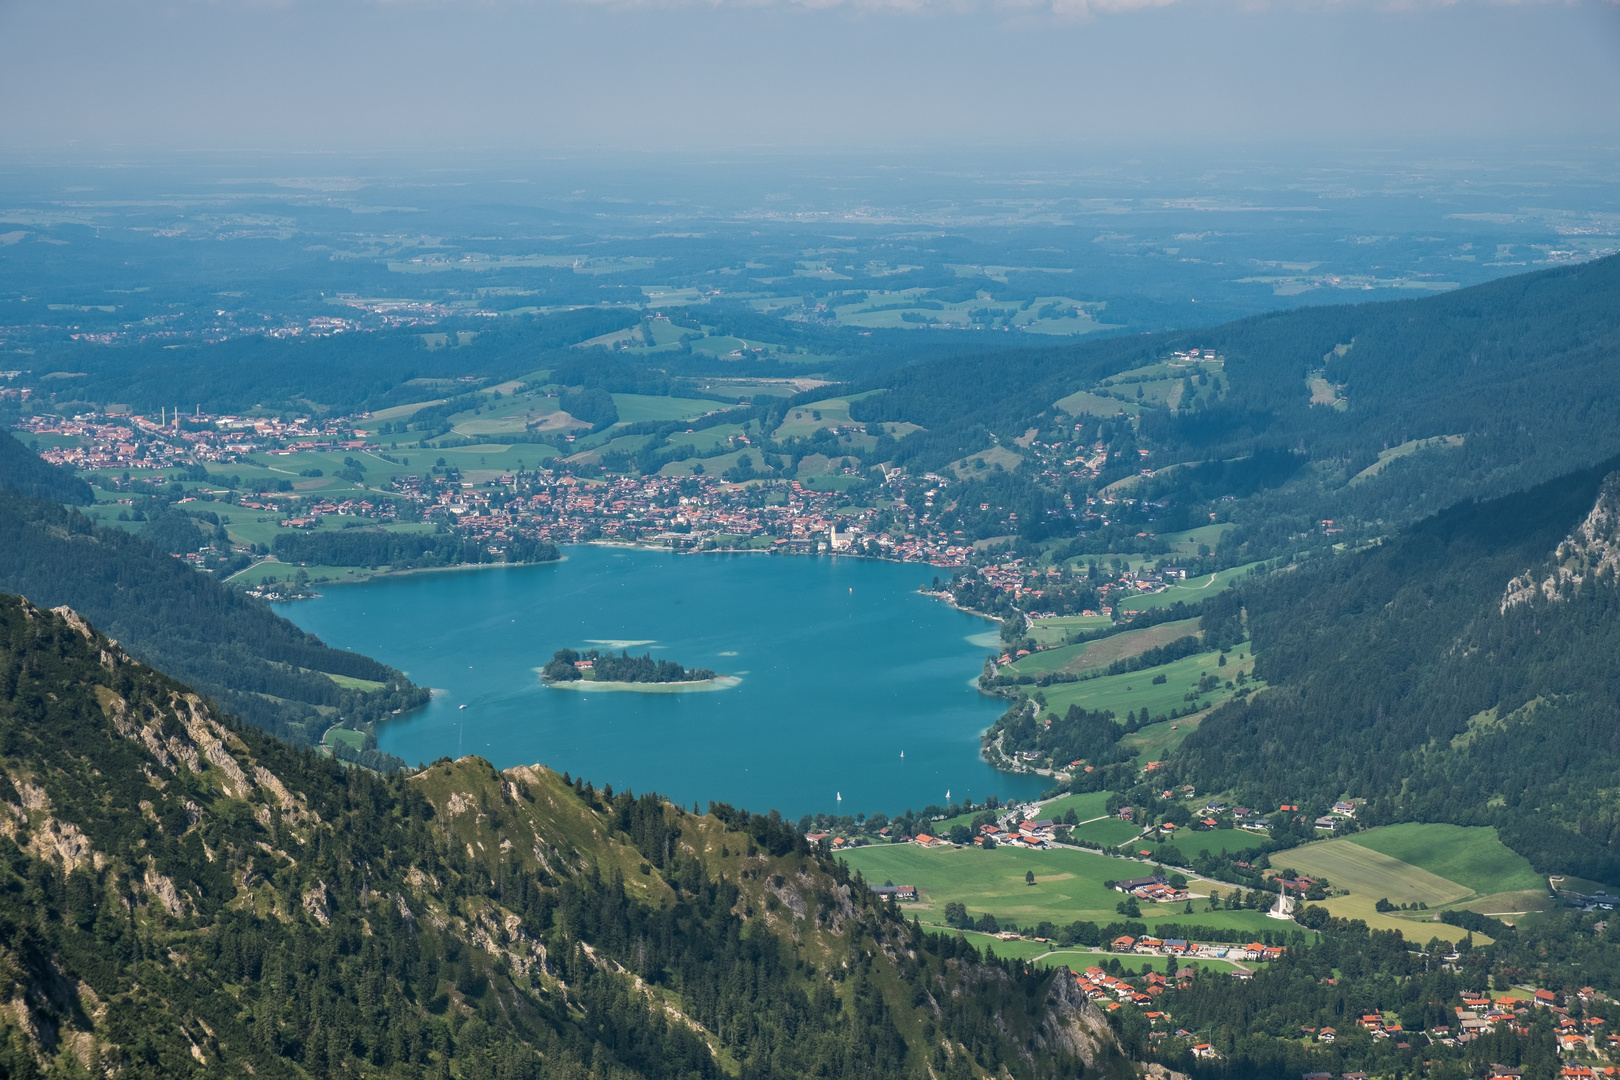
843,663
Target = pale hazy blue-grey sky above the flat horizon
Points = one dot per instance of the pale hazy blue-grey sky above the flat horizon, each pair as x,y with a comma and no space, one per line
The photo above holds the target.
858,74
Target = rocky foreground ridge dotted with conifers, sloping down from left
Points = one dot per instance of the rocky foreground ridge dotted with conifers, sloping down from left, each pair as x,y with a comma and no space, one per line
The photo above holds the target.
184,898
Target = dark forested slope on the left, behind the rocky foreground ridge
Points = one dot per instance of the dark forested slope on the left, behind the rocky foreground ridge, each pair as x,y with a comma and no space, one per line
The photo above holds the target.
226,644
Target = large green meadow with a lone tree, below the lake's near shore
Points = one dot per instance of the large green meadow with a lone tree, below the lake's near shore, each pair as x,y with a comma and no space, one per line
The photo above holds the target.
1068,885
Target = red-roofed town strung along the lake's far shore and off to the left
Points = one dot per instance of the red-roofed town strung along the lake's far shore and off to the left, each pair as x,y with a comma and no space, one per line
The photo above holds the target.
143,456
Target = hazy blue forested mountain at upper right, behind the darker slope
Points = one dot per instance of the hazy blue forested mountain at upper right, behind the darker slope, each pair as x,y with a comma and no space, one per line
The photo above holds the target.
1520,368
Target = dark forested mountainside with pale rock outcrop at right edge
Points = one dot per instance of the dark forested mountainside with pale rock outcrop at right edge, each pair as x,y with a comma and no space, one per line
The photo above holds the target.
1464,671
